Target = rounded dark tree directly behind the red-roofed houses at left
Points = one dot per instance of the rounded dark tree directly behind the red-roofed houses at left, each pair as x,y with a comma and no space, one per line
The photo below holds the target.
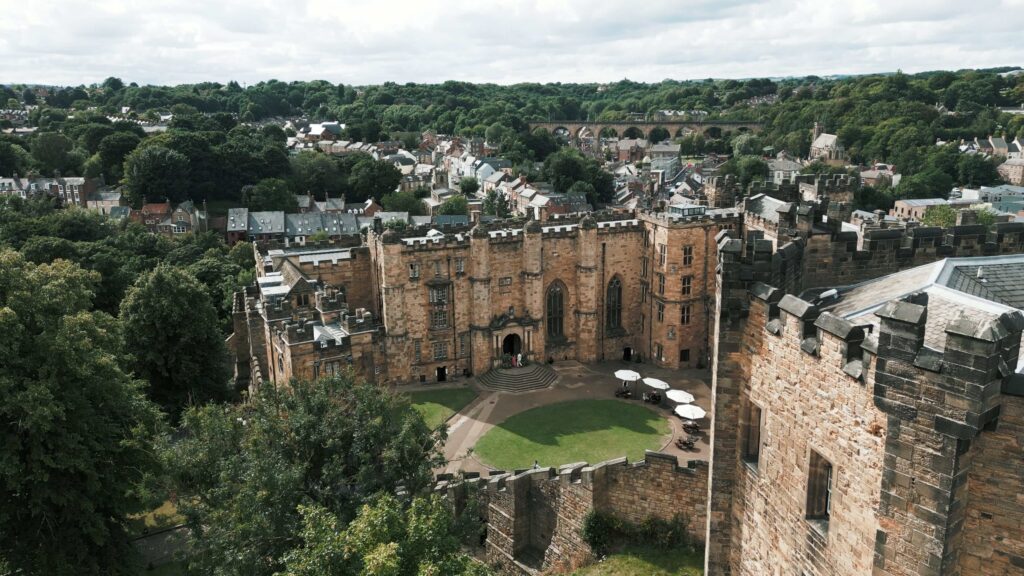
153,174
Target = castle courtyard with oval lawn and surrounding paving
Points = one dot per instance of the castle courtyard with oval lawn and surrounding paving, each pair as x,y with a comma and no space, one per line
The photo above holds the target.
578,419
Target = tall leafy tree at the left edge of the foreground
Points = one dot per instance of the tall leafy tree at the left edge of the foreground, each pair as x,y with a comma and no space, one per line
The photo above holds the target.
76,430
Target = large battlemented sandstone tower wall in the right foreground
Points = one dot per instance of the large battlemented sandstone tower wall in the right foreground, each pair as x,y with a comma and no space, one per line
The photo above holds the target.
914,437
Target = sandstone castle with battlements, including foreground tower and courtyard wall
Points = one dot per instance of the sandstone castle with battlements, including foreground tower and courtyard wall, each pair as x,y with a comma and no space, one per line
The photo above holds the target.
869,410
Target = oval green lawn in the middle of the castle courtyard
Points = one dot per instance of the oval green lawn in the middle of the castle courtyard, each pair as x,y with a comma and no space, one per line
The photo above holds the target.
590,431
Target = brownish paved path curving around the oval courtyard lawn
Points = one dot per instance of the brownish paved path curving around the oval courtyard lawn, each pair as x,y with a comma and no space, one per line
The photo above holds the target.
576,382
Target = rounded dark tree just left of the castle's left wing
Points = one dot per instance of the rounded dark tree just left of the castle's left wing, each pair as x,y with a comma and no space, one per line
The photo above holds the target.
172,332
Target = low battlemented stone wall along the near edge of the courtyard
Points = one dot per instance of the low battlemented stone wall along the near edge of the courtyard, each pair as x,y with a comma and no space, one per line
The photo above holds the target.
536,517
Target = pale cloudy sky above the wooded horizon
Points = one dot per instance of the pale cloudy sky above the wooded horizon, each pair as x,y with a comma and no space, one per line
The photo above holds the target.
505,42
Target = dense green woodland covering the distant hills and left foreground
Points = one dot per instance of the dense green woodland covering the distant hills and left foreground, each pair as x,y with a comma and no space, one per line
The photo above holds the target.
116,382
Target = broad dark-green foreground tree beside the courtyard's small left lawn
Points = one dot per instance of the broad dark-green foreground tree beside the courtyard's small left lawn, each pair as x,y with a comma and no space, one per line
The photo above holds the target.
243,472
